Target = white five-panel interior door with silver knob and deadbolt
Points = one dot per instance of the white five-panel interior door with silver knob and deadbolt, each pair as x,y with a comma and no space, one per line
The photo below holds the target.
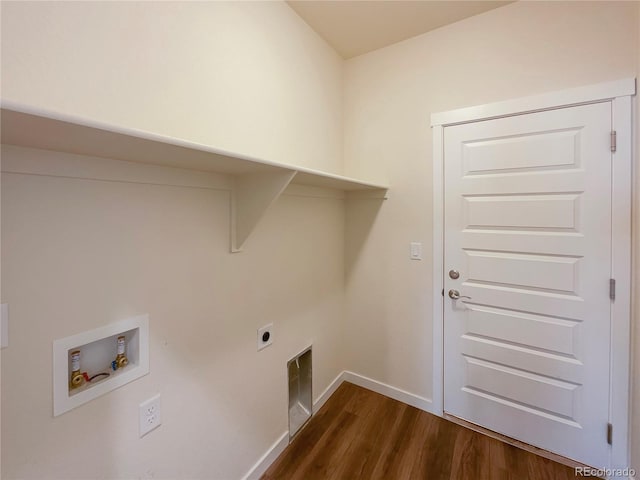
528,228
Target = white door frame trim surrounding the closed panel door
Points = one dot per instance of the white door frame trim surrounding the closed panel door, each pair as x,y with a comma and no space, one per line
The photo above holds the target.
619,93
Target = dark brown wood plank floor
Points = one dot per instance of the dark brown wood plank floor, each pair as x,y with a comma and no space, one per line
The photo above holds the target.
361,435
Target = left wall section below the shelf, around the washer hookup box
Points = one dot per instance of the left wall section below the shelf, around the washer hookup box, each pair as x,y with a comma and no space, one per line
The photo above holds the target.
78,254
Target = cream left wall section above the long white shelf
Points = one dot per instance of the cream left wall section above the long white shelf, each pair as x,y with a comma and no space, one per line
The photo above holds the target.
249,77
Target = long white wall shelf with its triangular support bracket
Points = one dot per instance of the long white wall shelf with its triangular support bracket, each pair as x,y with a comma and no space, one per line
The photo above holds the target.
258,182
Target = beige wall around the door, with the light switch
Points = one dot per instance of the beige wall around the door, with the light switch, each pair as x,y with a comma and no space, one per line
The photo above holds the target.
518,50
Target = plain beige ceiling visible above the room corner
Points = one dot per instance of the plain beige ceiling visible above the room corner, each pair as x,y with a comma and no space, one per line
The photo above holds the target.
354,27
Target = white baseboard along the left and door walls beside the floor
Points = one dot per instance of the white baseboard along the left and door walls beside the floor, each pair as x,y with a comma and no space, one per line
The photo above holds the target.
278,447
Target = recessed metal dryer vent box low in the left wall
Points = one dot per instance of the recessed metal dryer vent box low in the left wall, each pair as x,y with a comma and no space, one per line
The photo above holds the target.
300,397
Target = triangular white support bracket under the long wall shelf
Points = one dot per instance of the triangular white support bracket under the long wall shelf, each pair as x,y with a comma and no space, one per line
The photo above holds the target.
252,195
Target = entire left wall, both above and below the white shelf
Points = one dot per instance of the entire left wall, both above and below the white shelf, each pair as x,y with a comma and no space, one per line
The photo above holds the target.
249,77
